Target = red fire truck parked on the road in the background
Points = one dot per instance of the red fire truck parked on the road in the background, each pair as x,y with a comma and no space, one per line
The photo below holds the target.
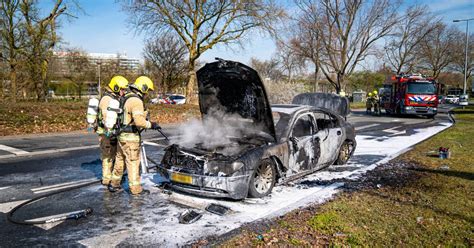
411,95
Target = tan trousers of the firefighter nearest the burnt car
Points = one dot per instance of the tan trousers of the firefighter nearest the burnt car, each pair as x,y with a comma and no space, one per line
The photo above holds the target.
128,156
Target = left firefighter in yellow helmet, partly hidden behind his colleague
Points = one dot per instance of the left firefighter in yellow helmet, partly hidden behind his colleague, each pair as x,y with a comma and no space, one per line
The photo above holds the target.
108,143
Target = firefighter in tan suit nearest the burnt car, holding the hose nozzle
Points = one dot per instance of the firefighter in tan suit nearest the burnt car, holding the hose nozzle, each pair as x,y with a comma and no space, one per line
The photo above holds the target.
134,120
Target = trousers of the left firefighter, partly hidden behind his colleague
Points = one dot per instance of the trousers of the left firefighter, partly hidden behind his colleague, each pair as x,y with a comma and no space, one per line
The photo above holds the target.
108,150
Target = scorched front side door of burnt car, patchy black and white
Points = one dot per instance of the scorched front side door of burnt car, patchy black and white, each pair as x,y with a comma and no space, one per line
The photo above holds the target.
303,145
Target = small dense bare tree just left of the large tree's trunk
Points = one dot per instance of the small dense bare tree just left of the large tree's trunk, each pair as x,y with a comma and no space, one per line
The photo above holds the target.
167,56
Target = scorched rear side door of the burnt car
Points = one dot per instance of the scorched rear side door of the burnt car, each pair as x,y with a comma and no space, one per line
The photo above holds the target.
330,135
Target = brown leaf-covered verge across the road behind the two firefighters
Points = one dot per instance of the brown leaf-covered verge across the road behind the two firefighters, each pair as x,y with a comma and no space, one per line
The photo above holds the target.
48,117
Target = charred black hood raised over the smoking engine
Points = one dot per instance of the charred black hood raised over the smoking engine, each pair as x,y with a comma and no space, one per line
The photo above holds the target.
235,89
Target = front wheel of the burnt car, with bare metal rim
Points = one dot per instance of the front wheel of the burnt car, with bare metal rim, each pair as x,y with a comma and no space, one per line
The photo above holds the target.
263,179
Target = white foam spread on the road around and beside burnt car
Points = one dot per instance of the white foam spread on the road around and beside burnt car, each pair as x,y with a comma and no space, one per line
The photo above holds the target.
376,150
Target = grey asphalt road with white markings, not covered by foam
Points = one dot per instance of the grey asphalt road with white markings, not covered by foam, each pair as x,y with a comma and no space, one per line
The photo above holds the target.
36,164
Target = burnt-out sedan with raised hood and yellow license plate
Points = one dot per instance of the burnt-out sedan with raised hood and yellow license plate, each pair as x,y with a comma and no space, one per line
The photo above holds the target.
275,143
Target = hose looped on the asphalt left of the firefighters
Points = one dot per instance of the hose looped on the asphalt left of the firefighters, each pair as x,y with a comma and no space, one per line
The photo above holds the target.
71,215
